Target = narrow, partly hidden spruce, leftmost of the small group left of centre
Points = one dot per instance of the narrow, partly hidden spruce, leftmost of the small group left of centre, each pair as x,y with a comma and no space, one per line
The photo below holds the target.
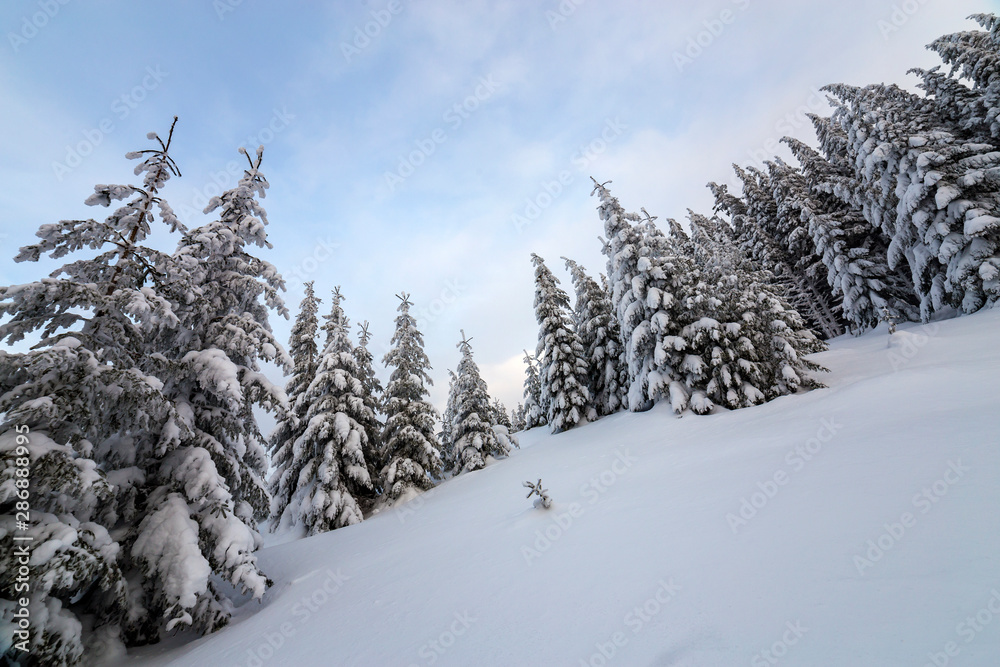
290,427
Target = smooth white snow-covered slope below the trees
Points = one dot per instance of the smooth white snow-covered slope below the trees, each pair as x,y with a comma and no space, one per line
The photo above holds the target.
869,535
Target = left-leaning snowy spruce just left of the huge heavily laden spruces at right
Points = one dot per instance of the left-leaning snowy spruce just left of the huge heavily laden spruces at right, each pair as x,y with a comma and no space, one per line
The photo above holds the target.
853,252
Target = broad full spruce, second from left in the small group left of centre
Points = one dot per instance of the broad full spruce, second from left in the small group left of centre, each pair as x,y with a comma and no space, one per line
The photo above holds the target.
330,453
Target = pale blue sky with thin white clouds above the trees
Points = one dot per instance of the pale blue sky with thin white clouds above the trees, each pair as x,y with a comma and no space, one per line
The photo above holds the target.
428,146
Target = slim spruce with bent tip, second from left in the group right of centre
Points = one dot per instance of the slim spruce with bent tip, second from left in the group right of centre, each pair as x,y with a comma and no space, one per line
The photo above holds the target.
597,327
